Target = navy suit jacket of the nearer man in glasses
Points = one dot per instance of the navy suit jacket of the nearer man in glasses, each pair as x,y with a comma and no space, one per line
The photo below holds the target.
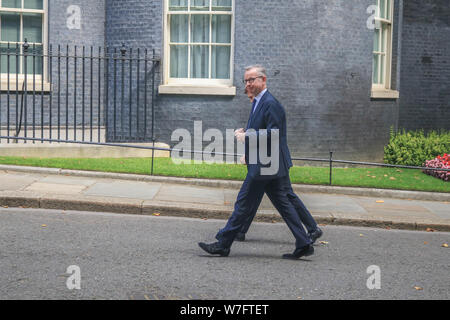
268,115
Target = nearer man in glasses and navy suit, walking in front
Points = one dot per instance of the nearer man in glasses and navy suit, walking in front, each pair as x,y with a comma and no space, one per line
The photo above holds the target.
265,139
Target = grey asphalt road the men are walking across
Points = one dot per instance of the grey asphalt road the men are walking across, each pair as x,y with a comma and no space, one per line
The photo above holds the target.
153,257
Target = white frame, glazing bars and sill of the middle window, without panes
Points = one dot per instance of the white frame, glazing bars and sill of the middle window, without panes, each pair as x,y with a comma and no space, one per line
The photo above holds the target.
190,85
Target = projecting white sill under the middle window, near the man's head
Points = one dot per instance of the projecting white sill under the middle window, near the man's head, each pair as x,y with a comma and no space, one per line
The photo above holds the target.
216,90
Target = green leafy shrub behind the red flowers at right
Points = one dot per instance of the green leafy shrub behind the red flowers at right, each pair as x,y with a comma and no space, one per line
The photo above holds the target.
413,148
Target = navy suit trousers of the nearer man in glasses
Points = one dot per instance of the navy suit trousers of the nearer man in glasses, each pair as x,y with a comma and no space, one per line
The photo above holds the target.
247,203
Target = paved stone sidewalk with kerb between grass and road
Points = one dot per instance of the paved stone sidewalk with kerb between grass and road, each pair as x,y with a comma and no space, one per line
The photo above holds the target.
200,198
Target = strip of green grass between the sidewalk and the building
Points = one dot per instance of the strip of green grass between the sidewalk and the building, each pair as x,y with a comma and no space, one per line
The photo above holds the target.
383,178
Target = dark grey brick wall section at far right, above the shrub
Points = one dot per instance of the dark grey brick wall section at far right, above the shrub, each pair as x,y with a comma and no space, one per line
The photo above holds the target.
425,73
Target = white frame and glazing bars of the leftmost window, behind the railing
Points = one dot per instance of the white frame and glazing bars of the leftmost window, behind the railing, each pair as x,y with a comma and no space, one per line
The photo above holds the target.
38,78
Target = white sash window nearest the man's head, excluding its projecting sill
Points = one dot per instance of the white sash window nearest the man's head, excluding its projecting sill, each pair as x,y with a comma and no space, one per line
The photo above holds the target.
198,42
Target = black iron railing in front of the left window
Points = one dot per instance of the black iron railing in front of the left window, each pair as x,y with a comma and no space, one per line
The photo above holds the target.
77,93
